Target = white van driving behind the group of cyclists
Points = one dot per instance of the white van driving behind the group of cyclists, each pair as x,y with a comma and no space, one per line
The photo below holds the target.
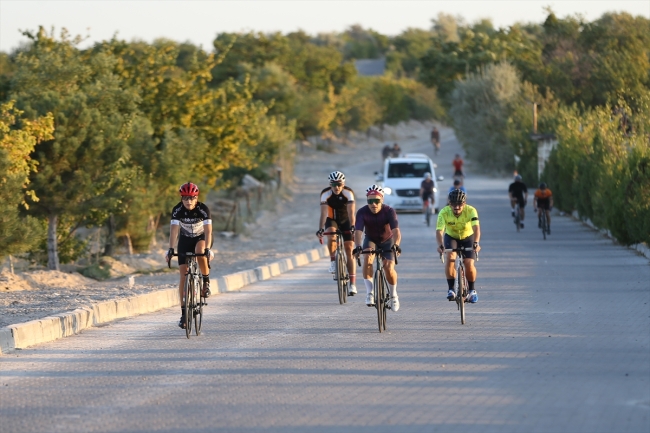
401,180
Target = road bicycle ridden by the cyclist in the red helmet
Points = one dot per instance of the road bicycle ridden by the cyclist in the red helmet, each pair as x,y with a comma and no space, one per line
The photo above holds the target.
193,300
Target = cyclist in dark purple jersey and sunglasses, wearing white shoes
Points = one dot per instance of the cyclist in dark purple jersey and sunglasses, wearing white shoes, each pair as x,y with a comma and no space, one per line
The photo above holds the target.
379,222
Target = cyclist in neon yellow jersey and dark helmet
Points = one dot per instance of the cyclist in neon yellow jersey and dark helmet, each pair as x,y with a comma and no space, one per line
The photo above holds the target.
459,221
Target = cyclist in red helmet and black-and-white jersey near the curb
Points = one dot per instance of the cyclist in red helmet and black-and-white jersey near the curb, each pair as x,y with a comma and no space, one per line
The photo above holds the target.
191,228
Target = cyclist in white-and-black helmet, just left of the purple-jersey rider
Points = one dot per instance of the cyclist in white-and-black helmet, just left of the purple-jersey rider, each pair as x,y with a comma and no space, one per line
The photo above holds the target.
337,212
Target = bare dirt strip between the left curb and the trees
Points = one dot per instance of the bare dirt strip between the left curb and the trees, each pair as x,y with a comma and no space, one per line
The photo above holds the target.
277,234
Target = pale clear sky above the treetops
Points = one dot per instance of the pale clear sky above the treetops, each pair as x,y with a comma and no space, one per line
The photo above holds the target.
200,21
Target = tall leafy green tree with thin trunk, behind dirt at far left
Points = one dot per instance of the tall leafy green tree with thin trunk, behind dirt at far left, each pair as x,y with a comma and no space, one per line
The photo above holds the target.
82,170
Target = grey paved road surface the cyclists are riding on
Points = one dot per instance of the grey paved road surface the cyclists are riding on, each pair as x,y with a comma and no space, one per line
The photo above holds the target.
559,341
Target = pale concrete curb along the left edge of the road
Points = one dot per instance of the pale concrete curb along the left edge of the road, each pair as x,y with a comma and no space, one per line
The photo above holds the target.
22,335
